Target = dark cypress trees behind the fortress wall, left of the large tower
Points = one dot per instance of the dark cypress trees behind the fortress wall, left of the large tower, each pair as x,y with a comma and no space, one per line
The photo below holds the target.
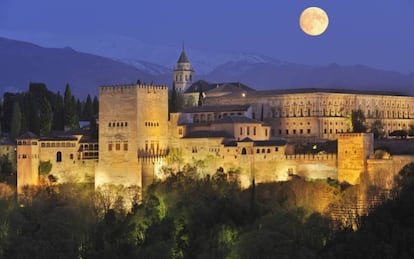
39,110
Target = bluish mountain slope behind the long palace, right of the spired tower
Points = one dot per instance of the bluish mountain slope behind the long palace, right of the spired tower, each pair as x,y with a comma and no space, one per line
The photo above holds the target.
276,75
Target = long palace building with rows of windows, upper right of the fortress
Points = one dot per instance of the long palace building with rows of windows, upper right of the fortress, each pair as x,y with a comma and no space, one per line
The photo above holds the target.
313,114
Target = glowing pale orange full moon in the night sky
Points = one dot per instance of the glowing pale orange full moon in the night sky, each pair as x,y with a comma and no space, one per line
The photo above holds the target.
314,21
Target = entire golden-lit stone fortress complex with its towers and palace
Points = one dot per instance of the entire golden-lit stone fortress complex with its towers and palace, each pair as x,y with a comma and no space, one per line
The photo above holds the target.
227,125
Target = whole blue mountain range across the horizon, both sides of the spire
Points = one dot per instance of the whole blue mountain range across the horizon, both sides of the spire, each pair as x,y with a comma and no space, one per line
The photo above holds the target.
23,62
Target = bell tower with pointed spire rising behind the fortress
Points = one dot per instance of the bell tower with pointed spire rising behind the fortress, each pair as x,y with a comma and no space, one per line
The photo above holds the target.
183,73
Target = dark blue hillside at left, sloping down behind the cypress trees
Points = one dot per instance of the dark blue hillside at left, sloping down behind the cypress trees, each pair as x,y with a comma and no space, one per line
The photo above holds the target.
21,63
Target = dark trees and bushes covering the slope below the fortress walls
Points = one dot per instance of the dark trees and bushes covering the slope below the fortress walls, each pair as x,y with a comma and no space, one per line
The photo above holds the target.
211,217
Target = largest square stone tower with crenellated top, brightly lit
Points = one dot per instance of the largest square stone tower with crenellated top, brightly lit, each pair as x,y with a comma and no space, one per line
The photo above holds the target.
133,127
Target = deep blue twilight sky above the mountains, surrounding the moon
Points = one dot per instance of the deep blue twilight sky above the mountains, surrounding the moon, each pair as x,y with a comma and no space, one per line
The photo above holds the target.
378,33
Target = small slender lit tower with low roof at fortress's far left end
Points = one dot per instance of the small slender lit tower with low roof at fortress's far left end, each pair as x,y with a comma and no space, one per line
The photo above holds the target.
27,160
